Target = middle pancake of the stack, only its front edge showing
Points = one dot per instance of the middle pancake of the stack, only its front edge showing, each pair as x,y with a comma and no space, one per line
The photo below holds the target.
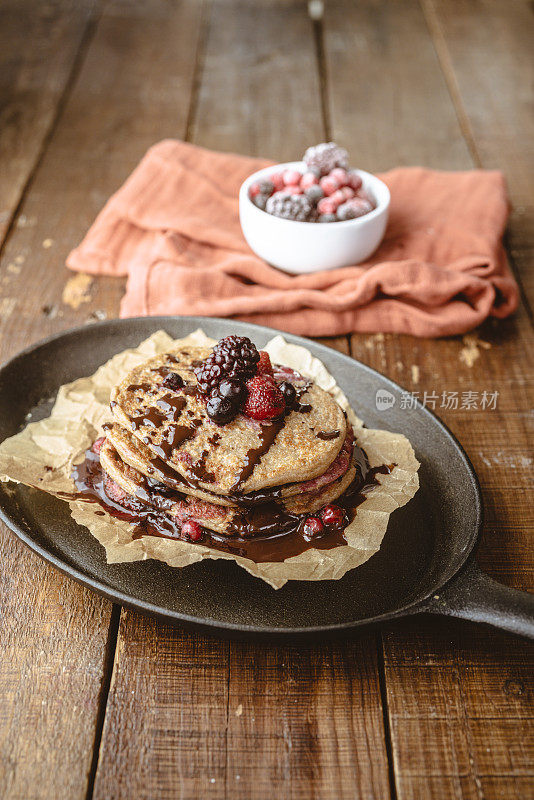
136,454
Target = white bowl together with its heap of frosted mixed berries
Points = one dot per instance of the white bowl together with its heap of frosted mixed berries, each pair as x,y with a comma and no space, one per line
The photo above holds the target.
314,214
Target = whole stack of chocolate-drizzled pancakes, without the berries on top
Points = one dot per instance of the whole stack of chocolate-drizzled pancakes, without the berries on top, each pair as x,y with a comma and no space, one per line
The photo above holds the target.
165,451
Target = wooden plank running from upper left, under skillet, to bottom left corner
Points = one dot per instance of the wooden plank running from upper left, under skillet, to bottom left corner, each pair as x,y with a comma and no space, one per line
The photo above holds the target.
134,87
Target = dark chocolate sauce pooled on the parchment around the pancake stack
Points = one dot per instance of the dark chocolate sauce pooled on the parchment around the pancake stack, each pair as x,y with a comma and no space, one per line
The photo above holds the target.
266,533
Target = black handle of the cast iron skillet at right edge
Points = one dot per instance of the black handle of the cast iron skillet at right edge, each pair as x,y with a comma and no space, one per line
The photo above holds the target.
475,596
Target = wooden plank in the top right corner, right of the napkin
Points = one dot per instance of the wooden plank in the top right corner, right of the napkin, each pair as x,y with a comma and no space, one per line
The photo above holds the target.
490,71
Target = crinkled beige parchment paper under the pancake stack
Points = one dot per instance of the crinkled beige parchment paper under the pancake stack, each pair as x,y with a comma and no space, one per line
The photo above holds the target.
43,454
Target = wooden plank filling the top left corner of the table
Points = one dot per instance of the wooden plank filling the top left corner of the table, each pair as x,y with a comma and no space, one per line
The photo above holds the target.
39,47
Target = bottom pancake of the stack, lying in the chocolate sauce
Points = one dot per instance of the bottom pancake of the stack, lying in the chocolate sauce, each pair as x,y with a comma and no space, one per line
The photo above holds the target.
214,517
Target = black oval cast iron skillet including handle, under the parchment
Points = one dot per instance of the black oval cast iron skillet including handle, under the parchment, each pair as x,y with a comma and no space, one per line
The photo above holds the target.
426,561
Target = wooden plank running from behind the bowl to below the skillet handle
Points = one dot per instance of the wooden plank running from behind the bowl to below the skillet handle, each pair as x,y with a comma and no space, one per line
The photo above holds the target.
444,679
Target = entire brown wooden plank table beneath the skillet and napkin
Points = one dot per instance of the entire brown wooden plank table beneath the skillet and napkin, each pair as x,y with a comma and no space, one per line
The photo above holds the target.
97,701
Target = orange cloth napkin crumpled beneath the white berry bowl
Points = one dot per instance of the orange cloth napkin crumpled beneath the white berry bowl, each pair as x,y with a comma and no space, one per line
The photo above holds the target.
173,228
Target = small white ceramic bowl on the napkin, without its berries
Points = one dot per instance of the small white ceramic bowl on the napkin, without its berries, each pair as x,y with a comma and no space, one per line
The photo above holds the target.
300,247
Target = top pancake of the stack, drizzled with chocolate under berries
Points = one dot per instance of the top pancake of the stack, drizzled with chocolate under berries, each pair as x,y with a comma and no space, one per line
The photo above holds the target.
240,457
